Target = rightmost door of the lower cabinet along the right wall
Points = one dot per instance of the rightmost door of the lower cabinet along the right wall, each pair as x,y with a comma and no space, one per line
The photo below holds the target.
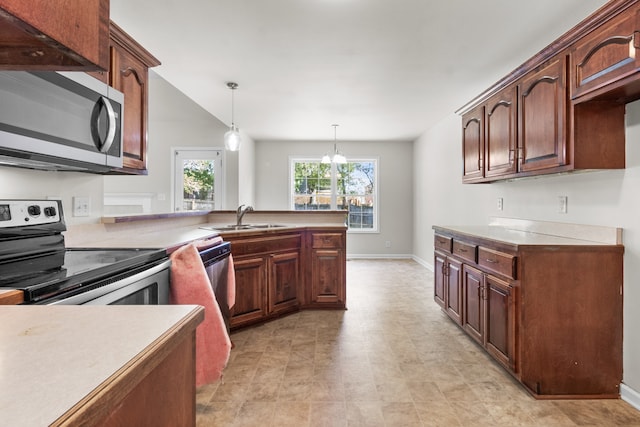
500,321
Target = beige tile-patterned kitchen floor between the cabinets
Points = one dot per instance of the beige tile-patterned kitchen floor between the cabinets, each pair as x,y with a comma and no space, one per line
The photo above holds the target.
392,359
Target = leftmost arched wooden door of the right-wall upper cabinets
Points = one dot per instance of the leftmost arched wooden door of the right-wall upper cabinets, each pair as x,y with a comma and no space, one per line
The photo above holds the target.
472,145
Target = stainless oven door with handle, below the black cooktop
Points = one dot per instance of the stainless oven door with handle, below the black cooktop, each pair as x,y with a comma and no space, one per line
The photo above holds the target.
148,287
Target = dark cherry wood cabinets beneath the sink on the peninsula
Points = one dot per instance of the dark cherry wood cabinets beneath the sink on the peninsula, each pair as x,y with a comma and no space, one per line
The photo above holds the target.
279,273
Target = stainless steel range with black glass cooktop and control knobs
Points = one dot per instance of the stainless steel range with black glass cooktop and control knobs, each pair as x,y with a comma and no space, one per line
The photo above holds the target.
33,258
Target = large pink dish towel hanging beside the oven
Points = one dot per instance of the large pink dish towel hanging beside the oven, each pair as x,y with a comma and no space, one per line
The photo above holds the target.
190,285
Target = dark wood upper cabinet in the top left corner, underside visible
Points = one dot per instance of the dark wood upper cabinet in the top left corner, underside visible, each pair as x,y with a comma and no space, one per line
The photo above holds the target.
54,35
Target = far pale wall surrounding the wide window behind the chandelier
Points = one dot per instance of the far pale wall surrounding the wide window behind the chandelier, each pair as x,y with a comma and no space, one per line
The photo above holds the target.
395,185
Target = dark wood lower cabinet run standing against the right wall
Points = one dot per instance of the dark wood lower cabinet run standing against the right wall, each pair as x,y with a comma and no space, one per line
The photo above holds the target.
550,313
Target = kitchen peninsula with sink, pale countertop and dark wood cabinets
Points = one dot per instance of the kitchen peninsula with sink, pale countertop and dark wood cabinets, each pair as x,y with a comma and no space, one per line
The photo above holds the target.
284,261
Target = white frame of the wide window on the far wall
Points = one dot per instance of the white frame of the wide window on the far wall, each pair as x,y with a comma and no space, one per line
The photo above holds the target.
334,187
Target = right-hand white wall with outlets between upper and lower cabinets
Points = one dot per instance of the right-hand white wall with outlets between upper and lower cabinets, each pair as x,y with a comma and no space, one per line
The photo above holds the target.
609,198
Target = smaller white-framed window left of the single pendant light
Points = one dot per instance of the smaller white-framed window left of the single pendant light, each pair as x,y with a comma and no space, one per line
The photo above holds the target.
198,179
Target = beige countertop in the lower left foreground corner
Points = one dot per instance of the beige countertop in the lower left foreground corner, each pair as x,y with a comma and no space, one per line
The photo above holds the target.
52,357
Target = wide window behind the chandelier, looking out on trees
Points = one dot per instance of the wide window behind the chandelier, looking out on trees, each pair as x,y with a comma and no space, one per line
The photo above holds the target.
349,186
